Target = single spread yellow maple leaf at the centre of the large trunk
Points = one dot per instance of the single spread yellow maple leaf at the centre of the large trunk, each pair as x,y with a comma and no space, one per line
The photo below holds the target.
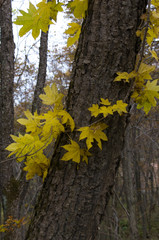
93,132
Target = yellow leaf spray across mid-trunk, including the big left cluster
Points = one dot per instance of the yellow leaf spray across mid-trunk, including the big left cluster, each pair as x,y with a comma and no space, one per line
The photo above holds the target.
43,129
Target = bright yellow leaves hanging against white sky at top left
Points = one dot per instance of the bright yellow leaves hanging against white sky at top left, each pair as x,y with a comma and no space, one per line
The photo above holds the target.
39,18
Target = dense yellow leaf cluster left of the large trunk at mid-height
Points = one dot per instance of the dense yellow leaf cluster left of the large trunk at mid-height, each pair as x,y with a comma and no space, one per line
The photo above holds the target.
41,130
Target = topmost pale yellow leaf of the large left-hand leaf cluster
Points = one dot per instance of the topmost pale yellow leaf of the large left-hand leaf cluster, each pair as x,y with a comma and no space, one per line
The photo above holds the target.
52,96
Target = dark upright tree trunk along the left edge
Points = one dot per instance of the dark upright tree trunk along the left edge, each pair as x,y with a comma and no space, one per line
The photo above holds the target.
6,95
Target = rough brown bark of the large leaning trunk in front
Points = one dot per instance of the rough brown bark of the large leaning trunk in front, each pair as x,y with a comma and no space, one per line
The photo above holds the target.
72,202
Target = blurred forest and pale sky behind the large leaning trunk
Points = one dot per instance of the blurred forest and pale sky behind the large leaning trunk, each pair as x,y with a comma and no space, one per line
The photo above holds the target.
133,211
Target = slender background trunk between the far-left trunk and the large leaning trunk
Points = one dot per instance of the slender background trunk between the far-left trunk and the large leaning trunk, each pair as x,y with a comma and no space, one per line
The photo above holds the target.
36,105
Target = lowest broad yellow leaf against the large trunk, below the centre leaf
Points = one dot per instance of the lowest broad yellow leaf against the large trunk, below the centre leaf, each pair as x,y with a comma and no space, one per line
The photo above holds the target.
74,152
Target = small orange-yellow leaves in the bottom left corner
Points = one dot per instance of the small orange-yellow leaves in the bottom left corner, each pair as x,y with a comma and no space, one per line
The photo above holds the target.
11,224
